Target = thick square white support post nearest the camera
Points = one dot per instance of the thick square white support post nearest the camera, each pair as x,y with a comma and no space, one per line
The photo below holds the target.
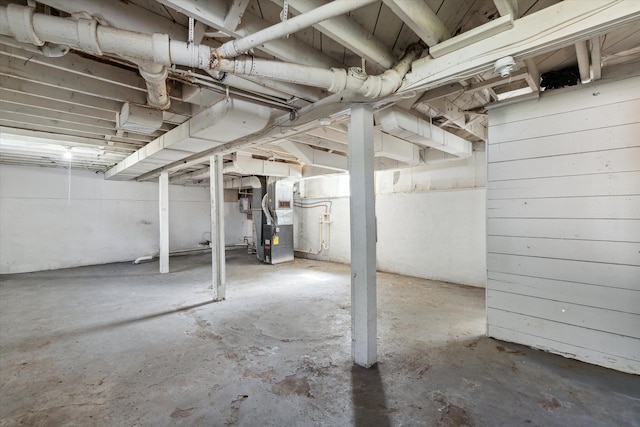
363,238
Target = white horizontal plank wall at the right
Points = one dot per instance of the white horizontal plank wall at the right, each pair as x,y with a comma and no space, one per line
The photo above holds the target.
563,234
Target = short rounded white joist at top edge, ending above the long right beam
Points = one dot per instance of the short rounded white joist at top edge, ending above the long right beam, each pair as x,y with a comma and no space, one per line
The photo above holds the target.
421,19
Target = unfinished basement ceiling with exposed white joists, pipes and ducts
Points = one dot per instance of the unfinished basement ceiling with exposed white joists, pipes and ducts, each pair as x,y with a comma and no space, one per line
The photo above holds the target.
268,83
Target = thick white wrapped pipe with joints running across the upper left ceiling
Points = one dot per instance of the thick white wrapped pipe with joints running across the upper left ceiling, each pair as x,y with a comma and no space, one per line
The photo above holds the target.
87,35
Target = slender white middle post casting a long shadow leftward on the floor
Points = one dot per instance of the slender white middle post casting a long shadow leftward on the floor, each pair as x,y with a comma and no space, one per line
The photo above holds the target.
217,228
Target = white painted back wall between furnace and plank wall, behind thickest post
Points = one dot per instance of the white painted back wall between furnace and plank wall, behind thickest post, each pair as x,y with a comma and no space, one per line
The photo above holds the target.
431,220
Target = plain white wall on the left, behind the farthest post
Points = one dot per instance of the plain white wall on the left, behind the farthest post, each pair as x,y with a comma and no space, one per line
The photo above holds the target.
105,221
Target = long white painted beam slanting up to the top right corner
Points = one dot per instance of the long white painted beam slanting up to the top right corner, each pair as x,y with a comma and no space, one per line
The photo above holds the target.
550,29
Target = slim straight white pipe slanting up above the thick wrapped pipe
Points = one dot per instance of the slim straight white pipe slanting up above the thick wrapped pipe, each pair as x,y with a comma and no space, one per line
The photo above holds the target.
234,48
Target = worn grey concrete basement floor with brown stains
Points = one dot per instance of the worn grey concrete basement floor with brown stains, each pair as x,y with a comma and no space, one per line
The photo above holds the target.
121,344
